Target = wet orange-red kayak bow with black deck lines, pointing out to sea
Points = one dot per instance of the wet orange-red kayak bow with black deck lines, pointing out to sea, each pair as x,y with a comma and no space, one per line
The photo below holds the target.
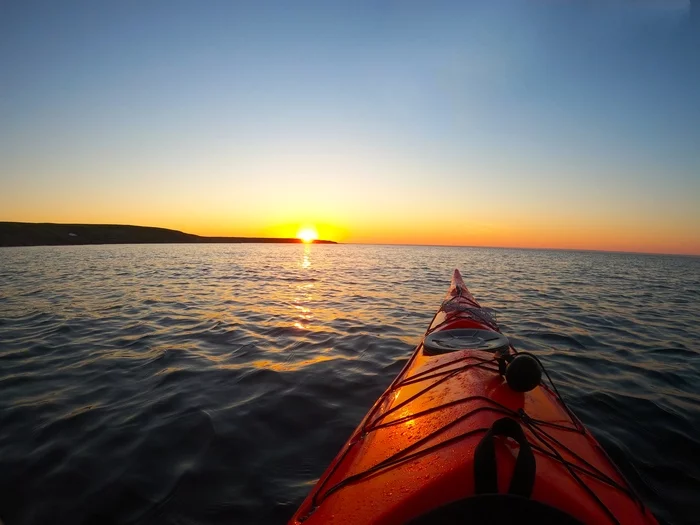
470,432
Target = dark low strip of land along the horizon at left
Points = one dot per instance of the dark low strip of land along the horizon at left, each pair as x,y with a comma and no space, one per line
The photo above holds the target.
49,234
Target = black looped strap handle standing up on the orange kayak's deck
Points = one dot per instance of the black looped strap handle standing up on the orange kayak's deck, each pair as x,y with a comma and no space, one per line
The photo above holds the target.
485,471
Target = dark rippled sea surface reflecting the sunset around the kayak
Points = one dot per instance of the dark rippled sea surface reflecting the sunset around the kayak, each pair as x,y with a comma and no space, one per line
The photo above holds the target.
212,384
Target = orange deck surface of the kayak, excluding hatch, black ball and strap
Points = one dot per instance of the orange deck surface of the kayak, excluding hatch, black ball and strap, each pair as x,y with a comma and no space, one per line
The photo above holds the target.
414,451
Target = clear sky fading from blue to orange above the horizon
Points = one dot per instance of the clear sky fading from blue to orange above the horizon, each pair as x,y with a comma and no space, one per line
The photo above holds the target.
503,123
